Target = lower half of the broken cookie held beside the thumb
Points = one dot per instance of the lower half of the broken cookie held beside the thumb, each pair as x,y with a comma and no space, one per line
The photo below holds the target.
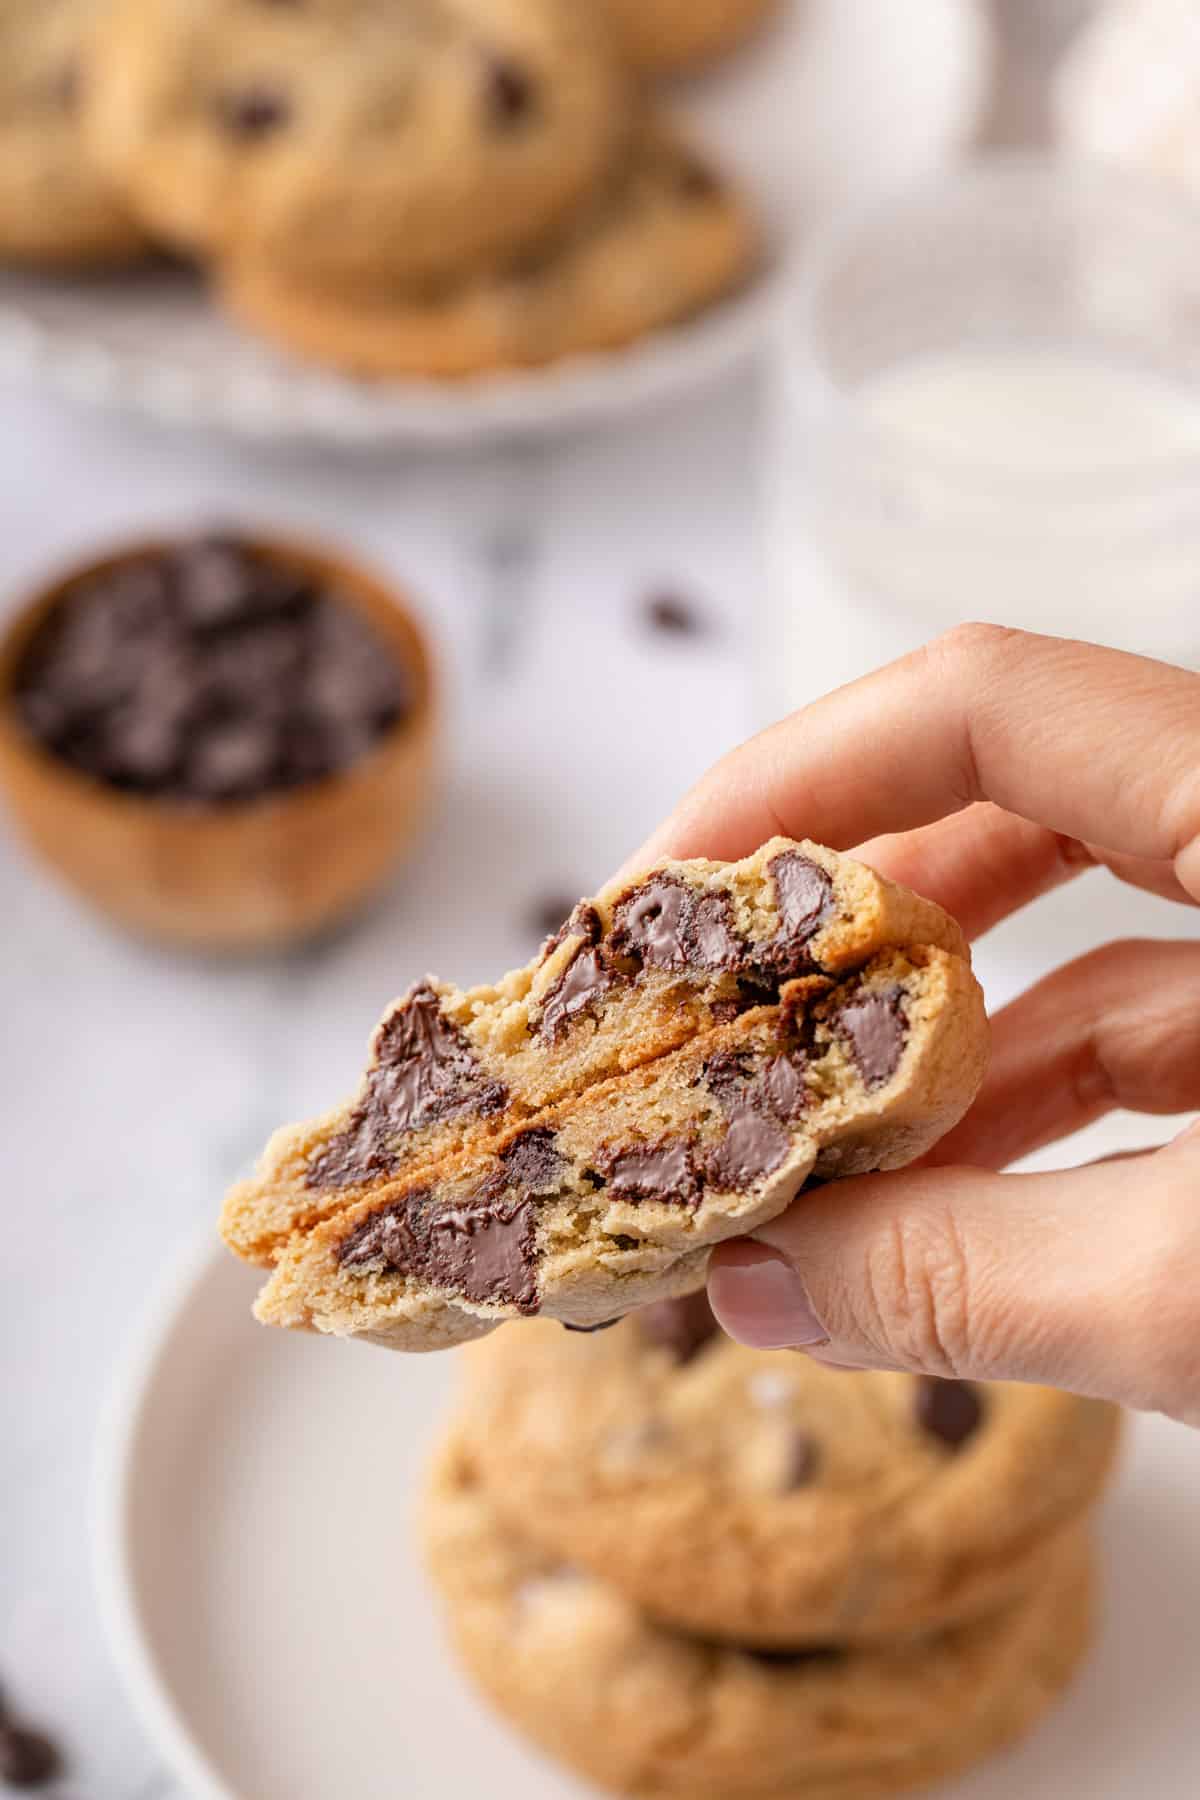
614,1198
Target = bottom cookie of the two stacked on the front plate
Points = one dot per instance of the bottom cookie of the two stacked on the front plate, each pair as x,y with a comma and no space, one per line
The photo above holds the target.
649,1711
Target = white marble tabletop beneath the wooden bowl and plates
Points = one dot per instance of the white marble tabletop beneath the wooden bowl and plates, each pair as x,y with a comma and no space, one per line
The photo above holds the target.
136,1084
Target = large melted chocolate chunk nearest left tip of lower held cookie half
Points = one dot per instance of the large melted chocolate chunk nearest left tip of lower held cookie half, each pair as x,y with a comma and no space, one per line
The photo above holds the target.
483,1248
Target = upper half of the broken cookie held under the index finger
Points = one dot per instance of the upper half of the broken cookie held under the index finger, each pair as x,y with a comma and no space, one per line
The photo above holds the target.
636,973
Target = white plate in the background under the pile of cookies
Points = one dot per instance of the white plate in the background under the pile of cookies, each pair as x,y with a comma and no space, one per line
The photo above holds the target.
839,93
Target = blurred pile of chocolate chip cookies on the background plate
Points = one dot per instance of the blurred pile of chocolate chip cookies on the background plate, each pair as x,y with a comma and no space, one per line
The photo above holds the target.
395,186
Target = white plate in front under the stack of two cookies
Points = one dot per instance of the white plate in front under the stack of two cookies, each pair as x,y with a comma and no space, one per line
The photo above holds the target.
256,1567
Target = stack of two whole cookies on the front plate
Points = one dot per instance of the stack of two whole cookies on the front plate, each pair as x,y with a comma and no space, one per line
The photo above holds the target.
704,1572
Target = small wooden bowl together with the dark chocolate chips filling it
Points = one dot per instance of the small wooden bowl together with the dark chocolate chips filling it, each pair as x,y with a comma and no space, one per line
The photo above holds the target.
186,728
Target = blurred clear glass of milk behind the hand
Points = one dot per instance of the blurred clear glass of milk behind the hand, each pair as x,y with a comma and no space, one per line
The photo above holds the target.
989,408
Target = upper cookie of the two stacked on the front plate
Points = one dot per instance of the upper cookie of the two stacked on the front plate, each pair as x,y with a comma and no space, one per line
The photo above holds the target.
821,1507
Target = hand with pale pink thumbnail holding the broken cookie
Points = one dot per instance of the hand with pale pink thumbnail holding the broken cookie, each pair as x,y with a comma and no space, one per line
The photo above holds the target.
985,771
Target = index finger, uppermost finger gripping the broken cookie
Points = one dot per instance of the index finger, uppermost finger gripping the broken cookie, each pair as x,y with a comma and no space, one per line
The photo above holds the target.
1088,742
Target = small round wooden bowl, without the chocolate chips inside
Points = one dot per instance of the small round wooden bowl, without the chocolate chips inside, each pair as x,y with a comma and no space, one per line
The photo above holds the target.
238,876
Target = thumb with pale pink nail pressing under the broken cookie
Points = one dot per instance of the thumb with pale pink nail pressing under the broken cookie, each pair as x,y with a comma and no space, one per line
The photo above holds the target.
1082,1281
